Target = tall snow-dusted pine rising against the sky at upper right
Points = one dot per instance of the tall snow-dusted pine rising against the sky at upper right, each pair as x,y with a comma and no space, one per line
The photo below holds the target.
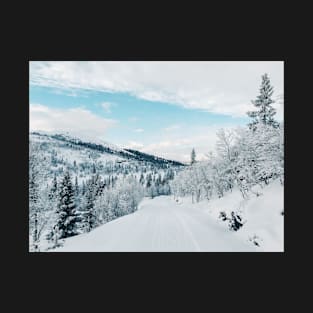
265,113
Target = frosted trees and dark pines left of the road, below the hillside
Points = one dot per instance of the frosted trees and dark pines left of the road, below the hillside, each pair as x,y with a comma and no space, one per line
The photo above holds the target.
66,207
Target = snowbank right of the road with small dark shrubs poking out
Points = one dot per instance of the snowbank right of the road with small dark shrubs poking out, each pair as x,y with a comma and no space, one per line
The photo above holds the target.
262,213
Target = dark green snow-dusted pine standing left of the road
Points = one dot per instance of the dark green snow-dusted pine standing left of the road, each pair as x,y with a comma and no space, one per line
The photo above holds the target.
67,217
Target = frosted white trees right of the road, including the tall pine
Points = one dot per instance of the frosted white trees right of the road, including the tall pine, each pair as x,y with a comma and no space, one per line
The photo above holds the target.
245,157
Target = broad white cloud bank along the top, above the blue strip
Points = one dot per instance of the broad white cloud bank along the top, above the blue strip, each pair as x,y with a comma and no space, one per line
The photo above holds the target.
218,87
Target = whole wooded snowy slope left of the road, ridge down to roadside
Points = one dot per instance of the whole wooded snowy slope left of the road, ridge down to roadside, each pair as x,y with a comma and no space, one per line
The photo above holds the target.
105,181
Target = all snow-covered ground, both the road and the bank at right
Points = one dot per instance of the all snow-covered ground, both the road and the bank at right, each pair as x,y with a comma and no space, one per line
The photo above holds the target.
162,224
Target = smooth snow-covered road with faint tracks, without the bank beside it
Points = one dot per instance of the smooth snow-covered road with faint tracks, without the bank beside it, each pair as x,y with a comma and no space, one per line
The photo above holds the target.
160,225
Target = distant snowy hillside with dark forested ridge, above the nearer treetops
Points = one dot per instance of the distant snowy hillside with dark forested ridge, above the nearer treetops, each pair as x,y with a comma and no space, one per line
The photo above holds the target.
57,153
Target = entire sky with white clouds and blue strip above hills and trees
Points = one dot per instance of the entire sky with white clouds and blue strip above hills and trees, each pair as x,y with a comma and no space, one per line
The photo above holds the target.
164,108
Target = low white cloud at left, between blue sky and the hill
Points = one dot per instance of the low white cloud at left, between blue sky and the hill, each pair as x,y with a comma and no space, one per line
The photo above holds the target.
77,121
